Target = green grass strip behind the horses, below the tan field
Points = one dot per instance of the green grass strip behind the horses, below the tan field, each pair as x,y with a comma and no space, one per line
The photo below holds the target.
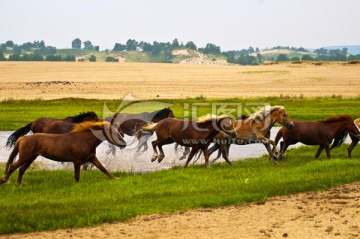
17,113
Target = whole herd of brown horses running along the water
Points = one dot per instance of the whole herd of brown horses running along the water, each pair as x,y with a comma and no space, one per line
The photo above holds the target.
74,139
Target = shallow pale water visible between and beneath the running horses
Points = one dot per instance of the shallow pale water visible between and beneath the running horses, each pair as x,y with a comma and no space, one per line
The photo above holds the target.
128,160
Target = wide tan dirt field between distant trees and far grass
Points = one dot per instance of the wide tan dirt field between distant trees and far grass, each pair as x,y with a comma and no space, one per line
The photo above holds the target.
49,80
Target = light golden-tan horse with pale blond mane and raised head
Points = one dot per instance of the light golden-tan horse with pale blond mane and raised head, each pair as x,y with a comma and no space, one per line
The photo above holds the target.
253,129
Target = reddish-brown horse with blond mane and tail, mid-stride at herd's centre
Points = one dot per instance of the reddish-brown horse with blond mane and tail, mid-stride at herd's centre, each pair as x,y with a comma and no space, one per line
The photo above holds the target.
196,134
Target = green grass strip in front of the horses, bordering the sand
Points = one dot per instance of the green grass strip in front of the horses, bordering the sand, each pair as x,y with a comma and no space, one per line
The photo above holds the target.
49,200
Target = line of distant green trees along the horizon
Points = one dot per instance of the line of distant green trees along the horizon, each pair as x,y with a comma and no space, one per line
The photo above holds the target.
250,56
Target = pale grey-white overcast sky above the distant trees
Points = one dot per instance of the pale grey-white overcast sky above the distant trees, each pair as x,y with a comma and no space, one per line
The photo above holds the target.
230,24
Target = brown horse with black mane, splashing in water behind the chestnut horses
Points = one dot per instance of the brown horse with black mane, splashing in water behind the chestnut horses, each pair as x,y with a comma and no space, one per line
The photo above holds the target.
130,124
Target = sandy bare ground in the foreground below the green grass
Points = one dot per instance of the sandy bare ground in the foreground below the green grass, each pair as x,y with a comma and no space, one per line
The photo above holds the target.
329,214
